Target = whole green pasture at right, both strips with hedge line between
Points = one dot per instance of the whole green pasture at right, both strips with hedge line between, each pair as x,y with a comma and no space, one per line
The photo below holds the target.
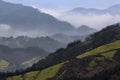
106,50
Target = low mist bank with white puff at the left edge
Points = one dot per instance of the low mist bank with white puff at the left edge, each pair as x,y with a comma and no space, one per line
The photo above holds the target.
7,31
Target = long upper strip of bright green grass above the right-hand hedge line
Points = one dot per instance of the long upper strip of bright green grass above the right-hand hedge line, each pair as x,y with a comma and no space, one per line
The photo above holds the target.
101,49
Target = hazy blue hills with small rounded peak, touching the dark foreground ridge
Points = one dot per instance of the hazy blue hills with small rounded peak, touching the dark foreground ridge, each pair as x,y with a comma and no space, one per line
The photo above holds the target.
80,33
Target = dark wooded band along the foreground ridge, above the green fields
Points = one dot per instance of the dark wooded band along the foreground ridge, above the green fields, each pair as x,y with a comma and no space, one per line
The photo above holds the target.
105,36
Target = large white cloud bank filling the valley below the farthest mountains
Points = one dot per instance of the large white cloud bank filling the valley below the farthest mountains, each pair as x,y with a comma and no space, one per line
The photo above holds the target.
97,21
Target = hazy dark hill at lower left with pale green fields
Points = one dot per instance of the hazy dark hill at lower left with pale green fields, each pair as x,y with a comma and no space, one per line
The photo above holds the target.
17,58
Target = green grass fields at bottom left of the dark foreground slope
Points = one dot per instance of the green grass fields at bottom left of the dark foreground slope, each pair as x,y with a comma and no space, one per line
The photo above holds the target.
37,75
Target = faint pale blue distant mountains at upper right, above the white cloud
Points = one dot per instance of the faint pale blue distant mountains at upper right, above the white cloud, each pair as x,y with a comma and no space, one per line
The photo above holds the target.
110,10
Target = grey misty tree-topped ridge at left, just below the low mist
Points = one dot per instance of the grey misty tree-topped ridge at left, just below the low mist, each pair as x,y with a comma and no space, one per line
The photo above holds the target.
45,43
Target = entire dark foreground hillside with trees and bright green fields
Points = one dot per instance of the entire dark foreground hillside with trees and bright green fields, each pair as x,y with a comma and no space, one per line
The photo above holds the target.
97,58
